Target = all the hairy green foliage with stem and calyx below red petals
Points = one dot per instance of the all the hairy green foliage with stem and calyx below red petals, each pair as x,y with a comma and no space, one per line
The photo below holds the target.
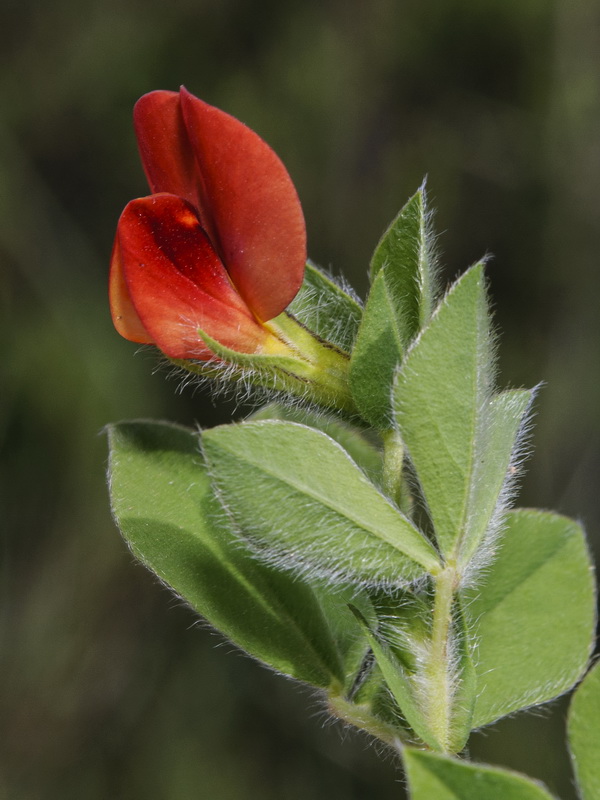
368,549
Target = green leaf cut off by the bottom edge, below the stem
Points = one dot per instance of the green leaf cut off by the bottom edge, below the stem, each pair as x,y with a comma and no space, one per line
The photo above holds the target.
436,777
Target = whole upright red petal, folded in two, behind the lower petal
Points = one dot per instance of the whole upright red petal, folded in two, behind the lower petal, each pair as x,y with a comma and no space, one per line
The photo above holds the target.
243,193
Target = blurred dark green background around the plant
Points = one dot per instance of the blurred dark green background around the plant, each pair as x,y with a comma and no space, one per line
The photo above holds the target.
109,687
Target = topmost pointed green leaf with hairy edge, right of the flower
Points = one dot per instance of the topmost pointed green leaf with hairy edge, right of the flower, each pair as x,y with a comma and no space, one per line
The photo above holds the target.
405,252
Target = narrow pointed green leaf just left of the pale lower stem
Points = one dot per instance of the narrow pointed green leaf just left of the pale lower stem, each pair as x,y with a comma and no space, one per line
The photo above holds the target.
400,684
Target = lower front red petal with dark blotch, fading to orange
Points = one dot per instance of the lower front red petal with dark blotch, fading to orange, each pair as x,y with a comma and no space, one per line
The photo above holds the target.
177,282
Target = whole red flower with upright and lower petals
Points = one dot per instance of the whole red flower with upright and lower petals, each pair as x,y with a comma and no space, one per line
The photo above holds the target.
219,245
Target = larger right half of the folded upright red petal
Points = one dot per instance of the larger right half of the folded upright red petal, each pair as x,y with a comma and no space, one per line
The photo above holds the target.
259,228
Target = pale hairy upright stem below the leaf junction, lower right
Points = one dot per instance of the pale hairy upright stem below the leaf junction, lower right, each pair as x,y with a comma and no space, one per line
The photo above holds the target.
439,672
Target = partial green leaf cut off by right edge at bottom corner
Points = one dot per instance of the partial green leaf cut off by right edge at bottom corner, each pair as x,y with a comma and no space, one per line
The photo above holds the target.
584,735
